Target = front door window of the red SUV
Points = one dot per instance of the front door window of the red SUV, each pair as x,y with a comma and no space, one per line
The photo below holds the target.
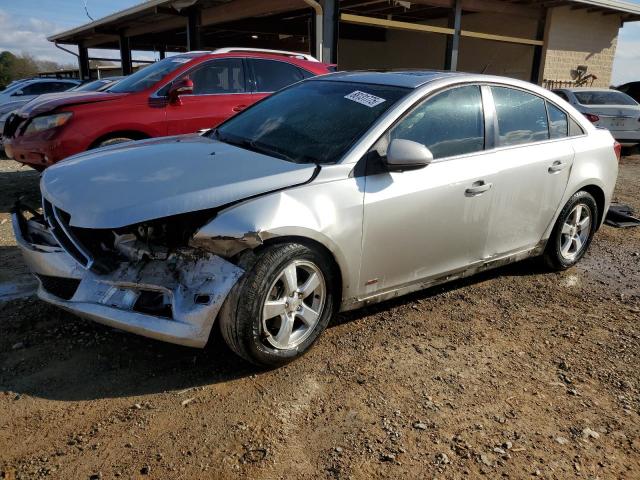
218,77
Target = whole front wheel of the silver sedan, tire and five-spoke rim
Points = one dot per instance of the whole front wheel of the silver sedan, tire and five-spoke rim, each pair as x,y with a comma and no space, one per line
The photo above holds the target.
280,306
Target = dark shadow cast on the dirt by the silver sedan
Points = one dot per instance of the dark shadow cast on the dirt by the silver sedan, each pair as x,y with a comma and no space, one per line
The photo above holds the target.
48,353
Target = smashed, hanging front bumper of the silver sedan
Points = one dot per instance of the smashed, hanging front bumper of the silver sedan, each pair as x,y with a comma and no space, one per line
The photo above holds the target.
174,300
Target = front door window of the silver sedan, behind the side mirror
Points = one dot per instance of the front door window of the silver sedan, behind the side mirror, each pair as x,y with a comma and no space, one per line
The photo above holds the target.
449,123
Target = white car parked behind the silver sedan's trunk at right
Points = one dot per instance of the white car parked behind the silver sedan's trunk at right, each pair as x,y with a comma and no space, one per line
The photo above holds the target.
610,109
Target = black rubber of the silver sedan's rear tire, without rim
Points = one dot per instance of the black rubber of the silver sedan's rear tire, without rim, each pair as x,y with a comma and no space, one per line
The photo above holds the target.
553,255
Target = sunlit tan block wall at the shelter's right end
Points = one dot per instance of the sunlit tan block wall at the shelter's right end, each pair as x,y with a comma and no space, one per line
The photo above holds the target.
577,37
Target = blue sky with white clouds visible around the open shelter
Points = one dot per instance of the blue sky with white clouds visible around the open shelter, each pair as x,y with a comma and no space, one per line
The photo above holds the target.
25,24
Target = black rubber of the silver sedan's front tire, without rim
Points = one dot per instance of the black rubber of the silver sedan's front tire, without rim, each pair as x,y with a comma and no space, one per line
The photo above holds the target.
241,315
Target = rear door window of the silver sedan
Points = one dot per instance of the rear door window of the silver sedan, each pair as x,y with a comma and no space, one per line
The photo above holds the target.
522,117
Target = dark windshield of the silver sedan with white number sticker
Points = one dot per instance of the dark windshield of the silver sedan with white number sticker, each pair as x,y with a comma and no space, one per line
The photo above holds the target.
311,122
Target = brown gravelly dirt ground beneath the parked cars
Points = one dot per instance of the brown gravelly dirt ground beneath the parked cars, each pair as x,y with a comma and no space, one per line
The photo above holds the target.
515,373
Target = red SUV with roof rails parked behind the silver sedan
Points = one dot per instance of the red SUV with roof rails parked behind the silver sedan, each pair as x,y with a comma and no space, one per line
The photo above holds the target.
180,94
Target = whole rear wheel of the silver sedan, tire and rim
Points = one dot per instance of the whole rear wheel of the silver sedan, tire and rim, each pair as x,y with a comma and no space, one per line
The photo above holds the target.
573,232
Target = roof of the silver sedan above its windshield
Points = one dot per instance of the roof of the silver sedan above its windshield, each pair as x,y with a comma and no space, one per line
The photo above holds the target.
399,78
